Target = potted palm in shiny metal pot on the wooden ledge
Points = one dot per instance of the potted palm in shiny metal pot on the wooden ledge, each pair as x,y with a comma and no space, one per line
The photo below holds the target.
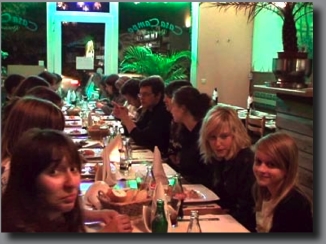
292,64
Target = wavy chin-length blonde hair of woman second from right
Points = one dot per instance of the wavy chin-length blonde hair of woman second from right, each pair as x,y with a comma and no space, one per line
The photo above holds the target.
216,120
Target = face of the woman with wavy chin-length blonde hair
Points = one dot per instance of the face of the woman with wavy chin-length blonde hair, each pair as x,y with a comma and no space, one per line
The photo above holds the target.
221,142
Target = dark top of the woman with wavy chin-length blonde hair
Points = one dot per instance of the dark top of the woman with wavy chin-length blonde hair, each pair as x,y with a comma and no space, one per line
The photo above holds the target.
232,181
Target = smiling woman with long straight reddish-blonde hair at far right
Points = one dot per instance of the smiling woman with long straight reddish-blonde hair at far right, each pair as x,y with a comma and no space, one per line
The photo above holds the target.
280,204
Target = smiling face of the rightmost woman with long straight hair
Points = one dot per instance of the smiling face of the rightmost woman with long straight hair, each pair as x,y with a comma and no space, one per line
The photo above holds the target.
266,172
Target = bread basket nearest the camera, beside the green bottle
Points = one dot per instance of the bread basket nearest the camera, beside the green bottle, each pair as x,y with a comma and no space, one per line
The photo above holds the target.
124,201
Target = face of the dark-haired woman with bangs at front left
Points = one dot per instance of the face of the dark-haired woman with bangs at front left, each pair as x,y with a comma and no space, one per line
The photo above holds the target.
58,188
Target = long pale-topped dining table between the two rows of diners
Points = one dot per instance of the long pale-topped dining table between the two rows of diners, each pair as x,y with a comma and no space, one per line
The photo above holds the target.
212,217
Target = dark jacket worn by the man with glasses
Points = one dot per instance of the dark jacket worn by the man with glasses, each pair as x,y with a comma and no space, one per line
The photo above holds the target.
152,129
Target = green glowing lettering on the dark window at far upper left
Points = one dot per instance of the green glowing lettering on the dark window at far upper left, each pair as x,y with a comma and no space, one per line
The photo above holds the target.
12,19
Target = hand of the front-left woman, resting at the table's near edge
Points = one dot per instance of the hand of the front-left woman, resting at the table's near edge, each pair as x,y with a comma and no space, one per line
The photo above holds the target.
118,223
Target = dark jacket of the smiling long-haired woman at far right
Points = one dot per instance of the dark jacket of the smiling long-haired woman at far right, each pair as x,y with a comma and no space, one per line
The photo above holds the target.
293,214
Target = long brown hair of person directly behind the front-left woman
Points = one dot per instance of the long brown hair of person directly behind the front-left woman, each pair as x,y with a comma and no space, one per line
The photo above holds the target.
26,113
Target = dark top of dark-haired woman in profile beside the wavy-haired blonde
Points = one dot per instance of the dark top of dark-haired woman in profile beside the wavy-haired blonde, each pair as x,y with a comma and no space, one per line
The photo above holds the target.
191,166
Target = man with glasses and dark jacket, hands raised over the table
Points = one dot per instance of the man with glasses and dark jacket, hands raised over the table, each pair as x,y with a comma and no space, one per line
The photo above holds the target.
153,127
